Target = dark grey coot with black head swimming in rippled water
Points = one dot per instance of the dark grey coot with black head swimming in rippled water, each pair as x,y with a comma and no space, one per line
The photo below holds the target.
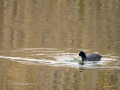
90,57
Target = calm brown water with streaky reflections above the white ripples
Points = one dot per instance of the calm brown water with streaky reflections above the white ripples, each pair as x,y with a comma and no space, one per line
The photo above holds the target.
58,24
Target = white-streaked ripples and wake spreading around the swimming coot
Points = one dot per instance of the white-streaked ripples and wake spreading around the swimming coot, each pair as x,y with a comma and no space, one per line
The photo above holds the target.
59,58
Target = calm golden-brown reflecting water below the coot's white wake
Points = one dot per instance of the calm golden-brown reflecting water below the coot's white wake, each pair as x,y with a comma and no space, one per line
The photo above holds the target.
56,78
